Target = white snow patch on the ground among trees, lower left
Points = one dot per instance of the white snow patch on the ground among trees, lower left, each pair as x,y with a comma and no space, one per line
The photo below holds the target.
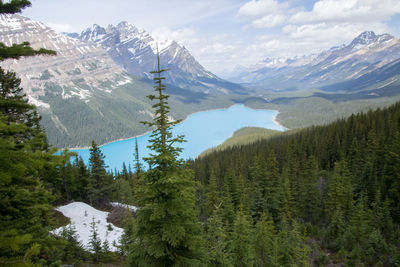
81,216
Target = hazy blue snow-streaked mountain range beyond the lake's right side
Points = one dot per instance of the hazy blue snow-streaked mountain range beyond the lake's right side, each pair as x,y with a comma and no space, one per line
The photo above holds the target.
368,57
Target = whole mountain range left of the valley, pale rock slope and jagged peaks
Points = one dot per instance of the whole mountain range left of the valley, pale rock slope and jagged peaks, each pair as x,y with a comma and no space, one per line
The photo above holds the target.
96,86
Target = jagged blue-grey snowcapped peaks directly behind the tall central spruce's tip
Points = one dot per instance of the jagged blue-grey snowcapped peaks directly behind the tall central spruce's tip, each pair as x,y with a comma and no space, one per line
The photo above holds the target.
135,50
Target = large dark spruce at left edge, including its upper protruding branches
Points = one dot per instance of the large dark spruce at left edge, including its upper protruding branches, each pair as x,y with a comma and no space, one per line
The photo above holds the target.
23,155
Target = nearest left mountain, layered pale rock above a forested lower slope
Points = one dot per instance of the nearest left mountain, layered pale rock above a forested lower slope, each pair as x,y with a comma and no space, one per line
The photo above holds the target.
81,93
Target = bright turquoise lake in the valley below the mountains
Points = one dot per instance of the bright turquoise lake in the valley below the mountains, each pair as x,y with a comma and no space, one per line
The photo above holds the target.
202,130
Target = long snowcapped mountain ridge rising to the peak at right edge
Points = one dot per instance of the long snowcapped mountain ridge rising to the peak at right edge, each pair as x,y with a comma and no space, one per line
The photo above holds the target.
367,53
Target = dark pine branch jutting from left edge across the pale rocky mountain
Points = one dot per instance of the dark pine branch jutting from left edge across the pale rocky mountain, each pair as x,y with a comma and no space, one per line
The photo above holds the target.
21,50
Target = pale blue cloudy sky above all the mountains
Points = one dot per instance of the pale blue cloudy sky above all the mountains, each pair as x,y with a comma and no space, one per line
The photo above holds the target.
222,34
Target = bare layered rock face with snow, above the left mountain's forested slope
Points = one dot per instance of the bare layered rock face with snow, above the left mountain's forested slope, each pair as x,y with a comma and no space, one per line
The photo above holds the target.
79,69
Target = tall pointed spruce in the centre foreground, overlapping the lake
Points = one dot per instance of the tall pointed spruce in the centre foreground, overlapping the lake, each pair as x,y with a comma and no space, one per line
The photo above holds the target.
167,231
